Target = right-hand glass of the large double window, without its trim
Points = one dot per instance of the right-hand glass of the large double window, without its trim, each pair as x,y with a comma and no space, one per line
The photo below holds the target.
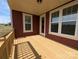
69,20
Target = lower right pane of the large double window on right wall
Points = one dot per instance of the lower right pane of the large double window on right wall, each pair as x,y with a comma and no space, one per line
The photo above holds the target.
68,27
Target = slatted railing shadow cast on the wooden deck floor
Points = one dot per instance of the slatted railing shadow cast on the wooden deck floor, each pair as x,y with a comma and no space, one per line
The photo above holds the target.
25,51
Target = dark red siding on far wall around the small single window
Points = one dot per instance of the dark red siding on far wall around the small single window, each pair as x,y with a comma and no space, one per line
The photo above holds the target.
18,24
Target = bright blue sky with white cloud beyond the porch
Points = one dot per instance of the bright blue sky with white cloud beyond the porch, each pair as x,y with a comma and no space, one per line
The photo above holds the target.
4,12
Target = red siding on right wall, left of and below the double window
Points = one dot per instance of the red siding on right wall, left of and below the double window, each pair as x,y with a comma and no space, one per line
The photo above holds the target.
65,41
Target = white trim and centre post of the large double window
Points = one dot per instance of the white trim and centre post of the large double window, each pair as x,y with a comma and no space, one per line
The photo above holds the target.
60,22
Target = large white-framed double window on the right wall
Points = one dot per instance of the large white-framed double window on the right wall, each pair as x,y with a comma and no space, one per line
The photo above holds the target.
63,21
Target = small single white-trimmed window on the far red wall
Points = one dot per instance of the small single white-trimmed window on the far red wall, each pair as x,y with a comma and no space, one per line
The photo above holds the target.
27,22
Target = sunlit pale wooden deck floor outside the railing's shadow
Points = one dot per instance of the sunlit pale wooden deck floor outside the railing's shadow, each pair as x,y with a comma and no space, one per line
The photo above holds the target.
49,49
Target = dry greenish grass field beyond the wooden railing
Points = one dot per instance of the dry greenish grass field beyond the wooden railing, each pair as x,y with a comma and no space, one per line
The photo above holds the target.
4,29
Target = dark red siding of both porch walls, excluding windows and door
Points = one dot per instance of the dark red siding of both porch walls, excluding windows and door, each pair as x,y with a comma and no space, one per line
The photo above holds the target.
18,28
